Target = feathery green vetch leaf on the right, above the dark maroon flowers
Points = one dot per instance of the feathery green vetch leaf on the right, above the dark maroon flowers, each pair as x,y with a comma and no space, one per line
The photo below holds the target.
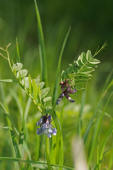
81,70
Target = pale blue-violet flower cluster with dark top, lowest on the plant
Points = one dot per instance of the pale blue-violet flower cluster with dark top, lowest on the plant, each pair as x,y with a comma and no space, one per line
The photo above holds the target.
45,126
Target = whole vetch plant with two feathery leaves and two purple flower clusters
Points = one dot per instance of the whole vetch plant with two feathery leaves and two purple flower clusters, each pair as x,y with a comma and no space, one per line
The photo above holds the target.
74,77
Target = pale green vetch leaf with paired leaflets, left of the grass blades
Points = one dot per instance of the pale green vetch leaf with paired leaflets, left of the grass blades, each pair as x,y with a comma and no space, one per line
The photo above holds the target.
34,88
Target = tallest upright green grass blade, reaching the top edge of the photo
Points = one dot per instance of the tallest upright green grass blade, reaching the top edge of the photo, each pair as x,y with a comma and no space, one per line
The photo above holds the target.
41,44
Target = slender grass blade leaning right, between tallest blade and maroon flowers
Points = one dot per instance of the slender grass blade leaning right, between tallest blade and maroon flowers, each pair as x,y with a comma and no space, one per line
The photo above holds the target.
55,91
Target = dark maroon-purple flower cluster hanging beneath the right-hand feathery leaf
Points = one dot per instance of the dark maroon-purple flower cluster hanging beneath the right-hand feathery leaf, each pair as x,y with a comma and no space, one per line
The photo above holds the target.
66,91
